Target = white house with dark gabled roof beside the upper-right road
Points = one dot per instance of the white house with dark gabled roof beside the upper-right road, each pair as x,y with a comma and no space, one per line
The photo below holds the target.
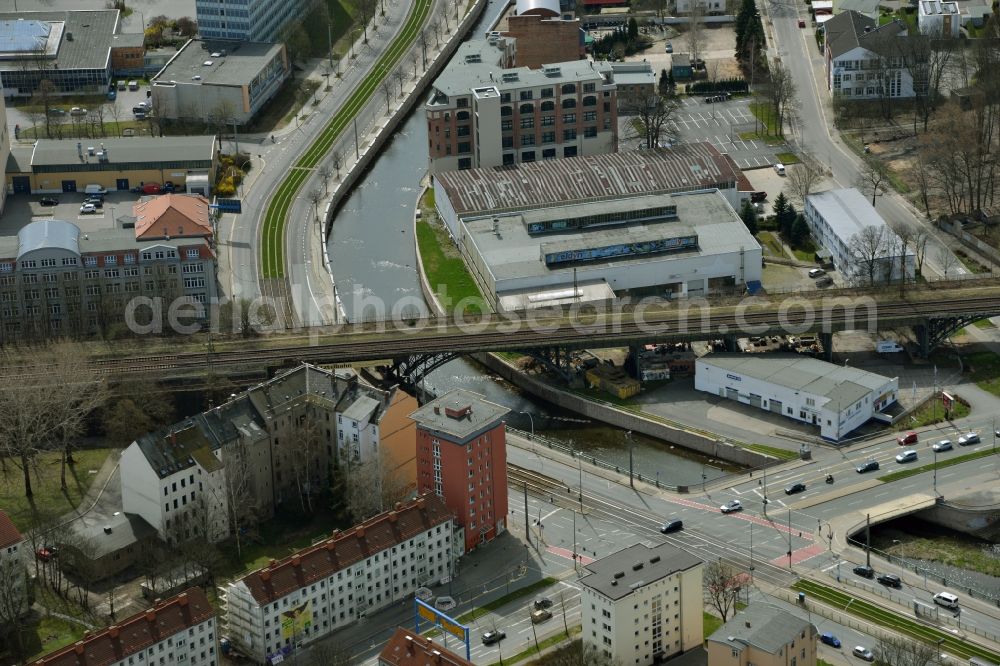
863,60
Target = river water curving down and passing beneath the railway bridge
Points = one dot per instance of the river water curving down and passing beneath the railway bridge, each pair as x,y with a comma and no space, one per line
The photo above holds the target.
373,258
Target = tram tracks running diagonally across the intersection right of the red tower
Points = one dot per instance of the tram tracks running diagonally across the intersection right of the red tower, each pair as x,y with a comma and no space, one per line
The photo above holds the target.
646,523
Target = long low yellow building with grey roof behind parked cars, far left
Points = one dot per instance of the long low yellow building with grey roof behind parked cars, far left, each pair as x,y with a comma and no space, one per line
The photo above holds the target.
66,165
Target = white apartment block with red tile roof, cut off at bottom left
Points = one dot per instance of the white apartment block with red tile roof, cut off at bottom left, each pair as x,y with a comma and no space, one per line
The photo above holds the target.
179,630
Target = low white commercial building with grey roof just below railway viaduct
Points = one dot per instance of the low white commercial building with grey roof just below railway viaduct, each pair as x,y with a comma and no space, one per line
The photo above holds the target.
836,398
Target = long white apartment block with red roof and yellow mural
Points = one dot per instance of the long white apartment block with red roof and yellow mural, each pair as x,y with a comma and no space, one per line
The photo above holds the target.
292,602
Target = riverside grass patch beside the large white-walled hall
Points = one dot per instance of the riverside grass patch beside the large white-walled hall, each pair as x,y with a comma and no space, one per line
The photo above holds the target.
445,270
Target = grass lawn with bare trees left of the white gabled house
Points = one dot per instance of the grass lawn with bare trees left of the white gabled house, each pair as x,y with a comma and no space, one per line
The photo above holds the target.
49,501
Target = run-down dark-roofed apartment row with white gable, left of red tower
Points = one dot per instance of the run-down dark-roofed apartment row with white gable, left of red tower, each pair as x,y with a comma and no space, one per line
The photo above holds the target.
281,439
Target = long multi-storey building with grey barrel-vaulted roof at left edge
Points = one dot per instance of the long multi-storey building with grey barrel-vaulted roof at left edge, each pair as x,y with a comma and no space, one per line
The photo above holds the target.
57,280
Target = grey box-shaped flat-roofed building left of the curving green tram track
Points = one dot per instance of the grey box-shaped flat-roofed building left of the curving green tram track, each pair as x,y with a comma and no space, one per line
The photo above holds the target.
220,79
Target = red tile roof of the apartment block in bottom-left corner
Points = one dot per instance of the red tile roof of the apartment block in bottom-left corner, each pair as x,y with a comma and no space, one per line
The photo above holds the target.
136,633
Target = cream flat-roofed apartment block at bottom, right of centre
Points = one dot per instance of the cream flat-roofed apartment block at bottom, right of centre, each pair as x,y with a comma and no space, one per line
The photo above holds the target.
643,604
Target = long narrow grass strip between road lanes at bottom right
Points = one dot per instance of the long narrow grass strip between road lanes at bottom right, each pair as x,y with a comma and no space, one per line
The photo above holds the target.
871,613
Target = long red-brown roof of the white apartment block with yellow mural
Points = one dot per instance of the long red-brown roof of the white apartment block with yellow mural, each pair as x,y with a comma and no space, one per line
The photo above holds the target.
346,548
